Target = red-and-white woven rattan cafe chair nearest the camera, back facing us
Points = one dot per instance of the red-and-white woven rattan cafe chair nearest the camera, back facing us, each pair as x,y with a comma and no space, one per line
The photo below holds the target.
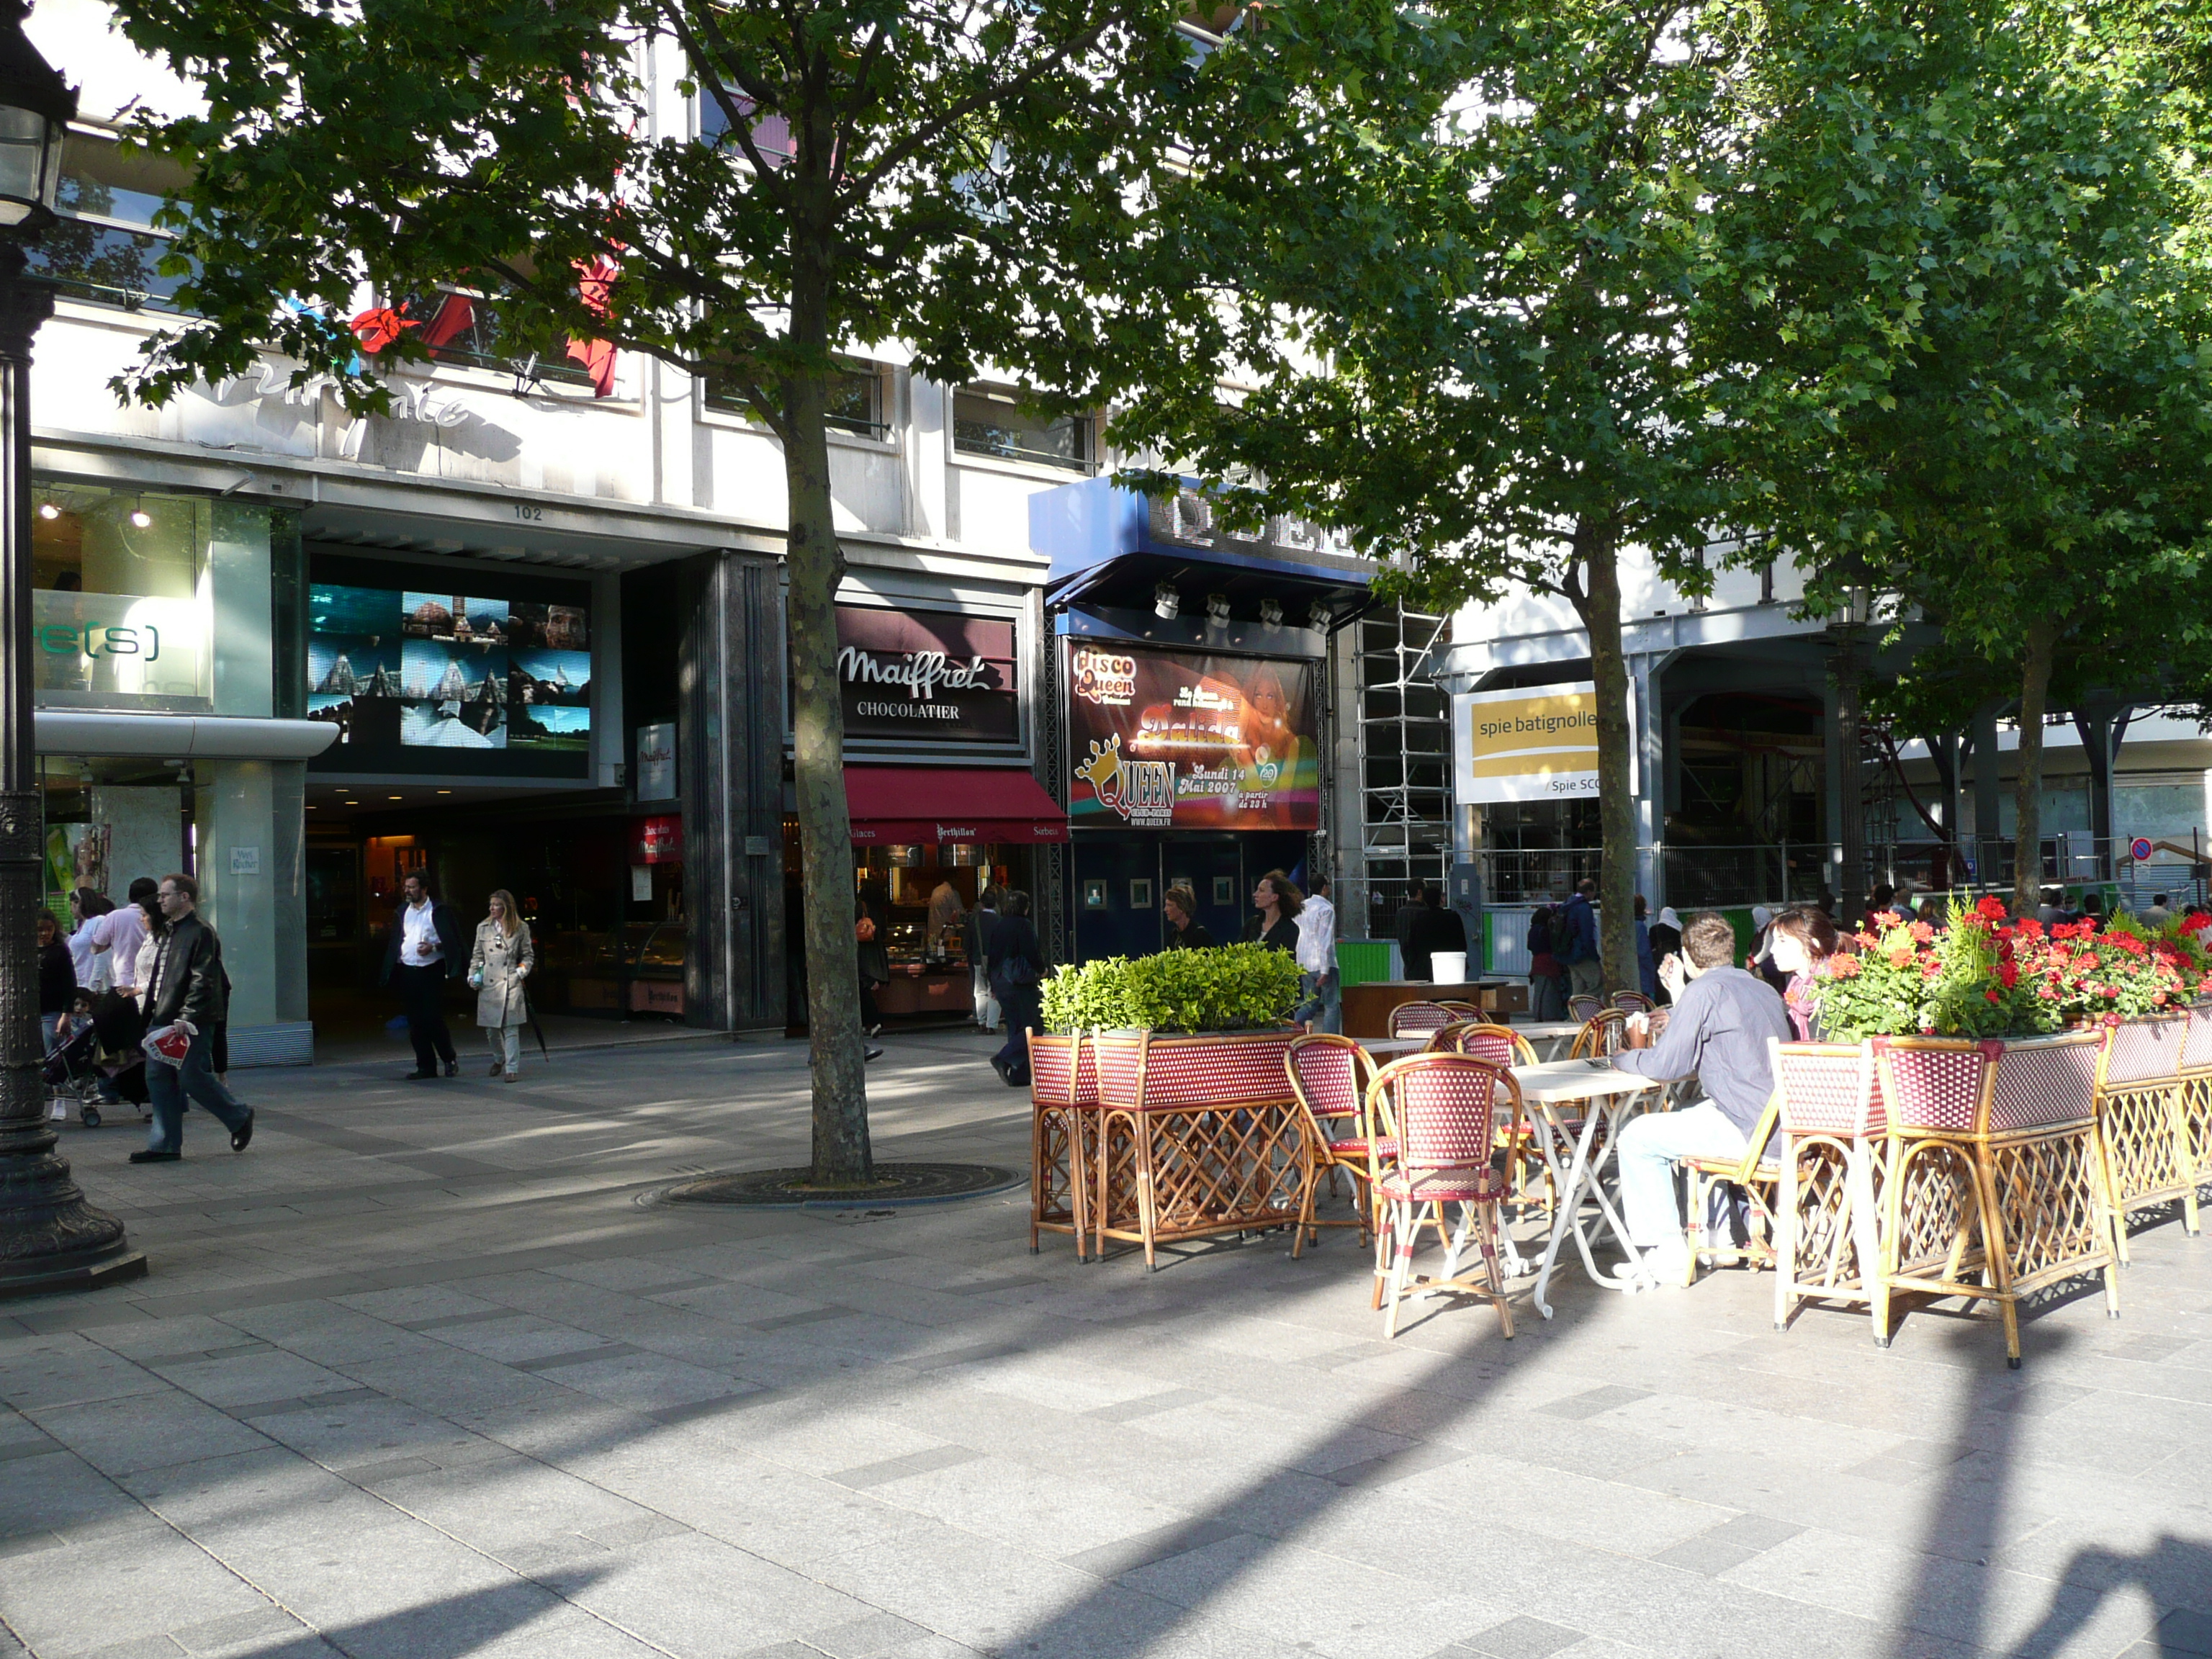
1437,1118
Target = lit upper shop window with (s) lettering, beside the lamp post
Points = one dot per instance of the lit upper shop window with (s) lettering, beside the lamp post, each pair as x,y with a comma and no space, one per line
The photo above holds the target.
123,603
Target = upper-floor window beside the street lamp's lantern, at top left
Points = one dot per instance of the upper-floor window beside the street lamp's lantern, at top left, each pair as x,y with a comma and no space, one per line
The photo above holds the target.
107,247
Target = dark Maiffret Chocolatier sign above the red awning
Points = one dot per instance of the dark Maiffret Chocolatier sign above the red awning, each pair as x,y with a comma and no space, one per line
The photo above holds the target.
928,676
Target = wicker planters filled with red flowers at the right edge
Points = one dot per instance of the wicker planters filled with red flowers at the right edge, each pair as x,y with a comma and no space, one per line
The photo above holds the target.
2067,1136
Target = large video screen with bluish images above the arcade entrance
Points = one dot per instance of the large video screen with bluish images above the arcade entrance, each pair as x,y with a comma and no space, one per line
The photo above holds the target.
470,674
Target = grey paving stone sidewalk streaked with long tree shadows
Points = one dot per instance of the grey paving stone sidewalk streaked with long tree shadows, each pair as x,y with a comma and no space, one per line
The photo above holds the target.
428,1373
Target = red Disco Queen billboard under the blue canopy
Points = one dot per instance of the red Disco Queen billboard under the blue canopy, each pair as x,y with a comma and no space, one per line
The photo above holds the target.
1185,742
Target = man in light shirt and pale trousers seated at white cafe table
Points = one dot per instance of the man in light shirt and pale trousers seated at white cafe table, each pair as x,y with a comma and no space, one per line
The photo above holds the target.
1720,1032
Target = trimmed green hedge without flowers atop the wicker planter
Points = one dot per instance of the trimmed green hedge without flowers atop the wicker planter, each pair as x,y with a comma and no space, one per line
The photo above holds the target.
1231,988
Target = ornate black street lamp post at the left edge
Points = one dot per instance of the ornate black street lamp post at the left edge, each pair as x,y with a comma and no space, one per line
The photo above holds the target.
50,1235
